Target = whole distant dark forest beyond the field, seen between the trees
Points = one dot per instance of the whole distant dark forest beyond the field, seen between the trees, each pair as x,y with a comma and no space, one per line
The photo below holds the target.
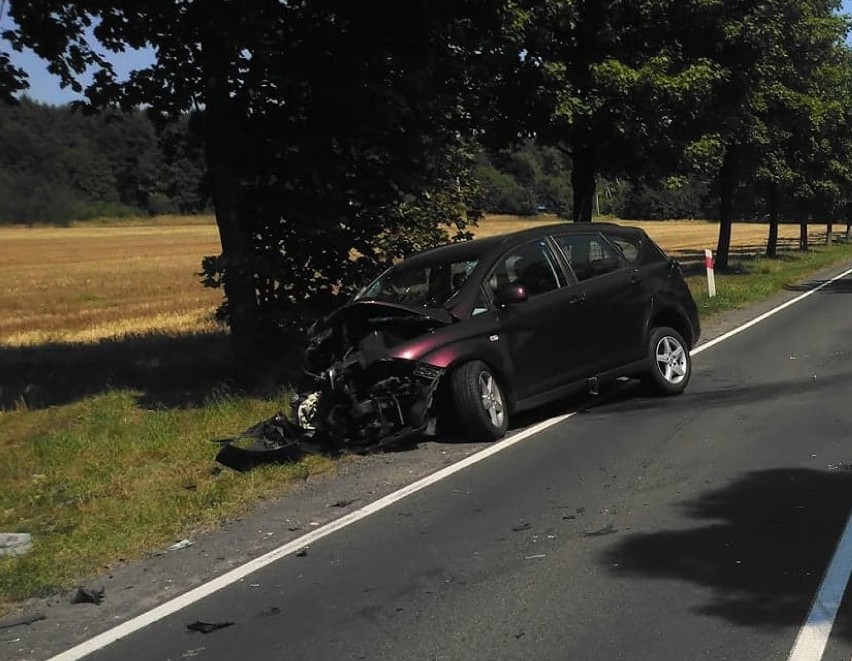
59,165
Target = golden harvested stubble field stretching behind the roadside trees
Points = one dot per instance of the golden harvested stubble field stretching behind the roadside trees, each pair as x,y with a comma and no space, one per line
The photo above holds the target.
98,280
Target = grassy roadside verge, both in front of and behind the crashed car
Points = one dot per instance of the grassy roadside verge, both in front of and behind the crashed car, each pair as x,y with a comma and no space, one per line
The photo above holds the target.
99,477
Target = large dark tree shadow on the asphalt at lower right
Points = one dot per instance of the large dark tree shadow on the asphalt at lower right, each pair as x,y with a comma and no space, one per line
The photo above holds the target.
760,545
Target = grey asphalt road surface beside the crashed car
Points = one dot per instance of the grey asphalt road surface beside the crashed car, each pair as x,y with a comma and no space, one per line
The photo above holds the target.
697,527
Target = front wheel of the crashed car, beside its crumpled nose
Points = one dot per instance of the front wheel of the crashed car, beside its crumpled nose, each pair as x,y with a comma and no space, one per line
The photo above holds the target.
479,401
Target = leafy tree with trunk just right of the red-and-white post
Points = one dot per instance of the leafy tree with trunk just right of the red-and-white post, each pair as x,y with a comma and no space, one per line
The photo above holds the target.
767,53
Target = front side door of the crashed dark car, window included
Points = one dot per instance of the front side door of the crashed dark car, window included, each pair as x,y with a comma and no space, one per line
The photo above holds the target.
538,330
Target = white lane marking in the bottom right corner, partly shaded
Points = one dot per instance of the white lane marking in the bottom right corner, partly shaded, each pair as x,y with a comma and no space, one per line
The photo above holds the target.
813,636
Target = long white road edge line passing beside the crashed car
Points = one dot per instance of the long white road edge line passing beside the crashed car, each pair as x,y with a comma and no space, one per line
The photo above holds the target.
196,594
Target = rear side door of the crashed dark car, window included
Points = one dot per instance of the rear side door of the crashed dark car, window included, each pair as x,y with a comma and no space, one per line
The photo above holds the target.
614,299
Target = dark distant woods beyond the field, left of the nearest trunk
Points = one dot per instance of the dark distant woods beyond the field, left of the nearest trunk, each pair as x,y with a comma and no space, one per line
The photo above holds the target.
57,165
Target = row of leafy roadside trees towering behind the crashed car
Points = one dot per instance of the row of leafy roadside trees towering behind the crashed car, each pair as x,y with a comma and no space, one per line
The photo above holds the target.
328,133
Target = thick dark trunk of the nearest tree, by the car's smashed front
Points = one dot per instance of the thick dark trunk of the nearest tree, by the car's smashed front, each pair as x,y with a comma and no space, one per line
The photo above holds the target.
219,153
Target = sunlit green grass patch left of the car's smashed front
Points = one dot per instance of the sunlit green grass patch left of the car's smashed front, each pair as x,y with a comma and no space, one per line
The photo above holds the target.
104,479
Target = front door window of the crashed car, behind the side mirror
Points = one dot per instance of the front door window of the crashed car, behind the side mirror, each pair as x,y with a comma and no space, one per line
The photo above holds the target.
532,265
